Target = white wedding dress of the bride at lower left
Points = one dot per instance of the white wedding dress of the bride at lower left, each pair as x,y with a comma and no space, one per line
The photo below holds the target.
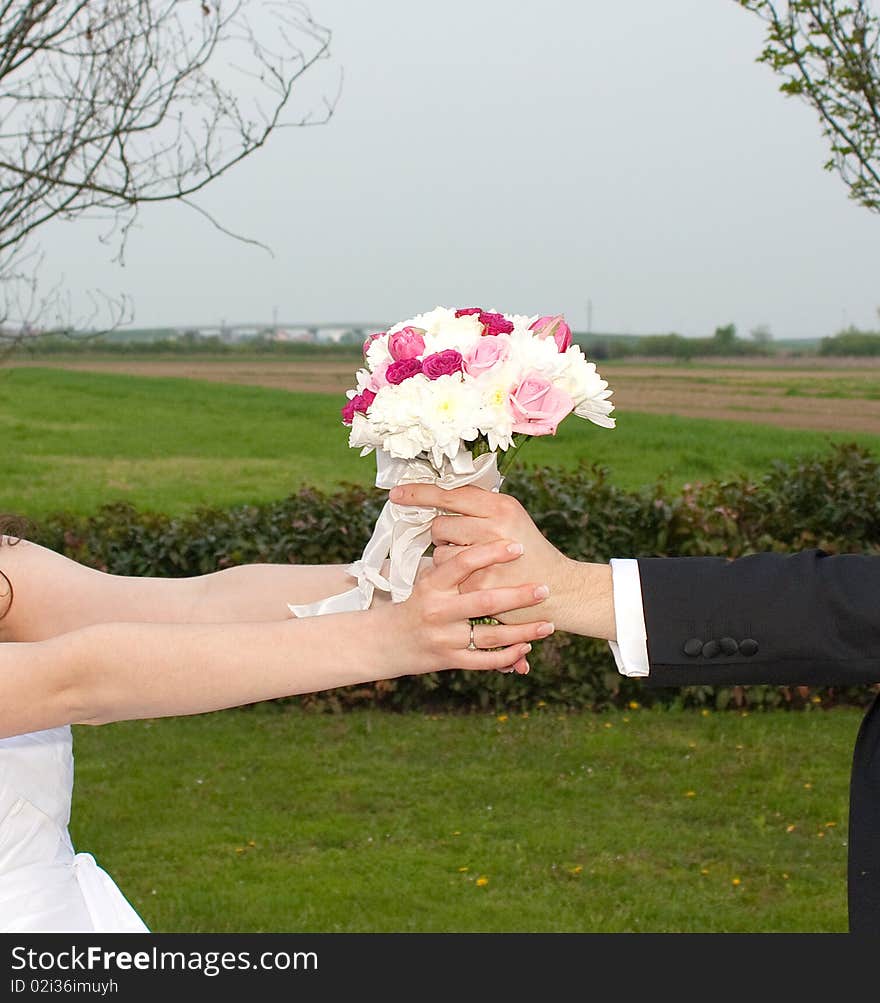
45,886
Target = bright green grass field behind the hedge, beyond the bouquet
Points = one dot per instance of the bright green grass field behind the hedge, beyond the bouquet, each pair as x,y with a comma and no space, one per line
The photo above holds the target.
73,441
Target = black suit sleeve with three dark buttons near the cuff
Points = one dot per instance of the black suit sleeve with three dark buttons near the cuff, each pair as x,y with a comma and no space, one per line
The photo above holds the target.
802,619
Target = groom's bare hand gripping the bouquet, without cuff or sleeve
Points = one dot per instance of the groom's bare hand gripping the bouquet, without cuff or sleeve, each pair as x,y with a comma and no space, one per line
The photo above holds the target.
482,517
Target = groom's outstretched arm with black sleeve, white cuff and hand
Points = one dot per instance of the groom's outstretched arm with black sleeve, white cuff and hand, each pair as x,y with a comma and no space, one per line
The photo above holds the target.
803,619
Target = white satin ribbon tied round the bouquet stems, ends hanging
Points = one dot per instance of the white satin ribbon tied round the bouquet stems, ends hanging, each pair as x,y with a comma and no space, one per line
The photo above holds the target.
404,532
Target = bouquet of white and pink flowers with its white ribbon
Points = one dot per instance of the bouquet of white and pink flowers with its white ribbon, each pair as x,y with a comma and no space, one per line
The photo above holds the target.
449,398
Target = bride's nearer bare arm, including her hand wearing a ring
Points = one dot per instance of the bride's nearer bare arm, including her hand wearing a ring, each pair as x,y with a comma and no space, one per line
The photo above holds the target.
118,672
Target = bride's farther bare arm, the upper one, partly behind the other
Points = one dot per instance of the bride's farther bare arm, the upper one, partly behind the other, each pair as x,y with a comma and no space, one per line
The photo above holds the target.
55,595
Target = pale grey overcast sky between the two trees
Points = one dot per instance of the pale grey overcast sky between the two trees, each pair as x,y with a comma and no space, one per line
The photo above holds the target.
528,158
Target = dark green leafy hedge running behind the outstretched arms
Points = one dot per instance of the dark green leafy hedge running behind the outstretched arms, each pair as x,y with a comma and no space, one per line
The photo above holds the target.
832,502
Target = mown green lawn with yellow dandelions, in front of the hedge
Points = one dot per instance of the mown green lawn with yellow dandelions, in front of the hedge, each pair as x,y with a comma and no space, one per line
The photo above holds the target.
276,821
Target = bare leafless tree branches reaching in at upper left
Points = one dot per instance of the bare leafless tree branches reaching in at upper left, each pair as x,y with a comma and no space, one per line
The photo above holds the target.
109,107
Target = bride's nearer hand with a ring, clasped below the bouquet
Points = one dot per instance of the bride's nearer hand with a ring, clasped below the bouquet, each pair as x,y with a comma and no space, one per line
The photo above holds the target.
433,627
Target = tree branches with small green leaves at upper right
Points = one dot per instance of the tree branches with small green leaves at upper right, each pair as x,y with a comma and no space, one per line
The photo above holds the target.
828,53
